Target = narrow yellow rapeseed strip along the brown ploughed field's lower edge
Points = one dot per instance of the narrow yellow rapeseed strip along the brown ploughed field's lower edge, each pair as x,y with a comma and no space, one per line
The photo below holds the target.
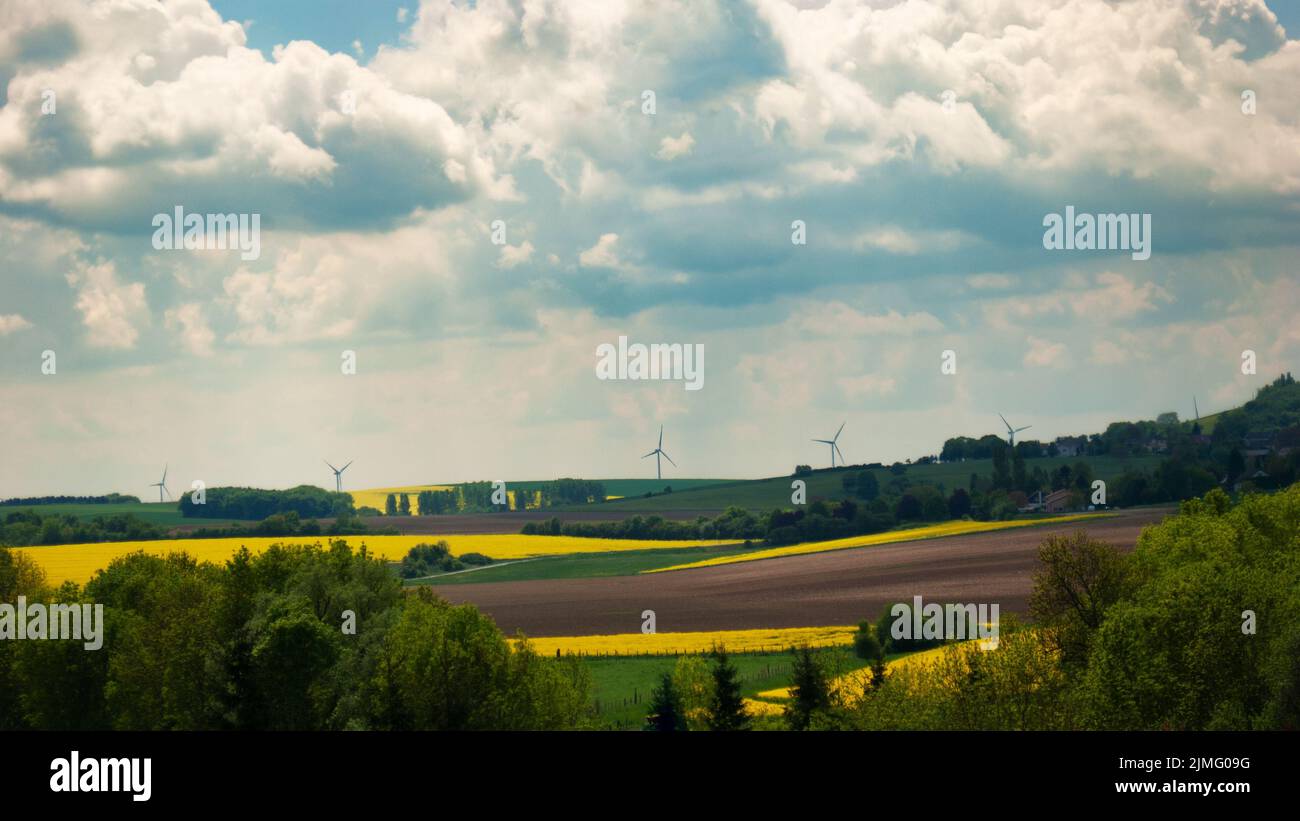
735,641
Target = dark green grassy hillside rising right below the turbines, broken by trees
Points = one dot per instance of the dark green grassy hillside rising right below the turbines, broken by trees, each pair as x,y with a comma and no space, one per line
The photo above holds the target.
775,493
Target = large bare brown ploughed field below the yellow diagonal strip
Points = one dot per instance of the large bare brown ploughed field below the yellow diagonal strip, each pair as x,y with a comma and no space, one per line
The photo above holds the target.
822,589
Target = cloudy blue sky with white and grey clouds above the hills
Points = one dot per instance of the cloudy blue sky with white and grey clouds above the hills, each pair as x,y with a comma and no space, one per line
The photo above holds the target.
470,199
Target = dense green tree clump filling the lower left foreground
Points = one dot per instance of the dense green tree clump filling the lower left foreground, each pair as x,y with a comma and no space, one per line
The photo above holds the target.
263,642
